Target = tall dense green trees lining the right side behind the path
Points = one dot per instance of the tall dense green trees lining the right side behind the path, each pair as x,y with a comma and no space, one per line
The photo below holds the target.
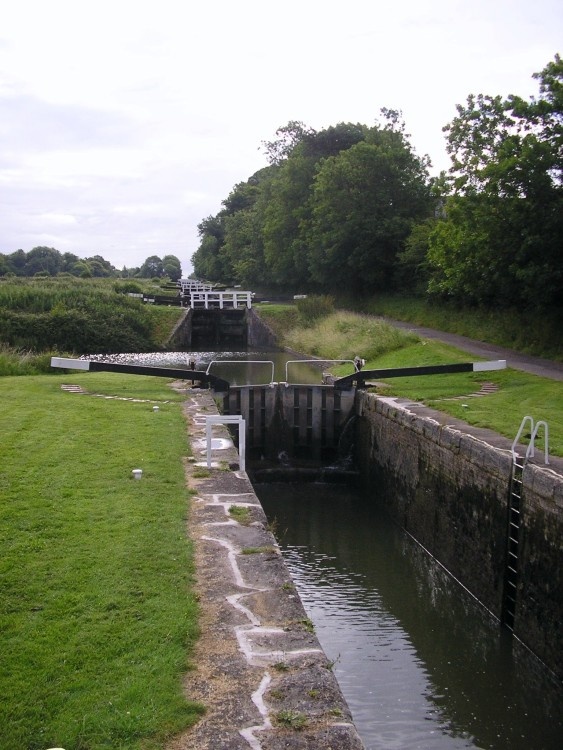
354,208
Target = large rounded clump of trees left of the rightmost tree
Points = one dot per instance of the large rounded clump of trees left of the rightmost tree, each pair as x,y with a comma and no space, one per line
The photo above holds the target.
333,204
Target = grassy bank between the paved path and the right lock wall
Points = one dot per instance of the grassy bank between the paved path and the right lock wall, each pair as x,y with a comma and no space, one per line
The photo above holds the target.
344,334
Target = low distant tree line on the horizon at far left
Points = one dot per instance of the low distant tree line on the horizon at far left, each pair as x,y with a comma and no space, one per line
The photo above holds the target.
47,261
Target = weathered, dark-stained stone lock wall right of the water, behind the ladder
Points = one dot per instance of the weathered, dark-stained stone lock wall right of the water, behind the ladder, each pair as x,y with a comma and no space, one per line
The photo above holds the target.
448,486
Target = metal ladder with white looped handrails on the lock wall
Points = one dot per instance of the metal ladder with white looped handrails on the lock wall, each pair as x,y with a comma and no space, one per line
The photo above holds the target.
514,518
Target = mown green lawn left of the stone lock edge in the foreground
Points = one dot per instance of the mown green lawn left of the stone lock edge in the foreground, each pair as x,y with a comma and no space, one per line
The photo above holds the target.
96,610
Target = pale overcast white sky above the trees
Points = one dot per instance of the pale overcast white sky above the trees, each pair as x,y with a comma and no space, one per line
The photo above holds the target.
124,123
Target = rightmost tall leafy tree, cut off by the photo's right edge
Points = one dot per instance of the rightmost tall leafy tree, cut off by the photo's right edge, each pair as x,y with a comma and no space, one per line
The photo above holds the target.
500,242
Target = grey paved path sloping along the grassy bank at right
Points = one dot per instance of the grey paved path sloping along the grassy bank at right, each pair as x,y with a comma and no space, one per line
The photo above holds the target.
535,365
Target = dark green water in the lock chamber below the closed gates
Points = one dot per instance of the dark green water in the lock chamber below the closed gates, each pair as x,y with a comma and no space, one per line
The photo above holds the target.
419,662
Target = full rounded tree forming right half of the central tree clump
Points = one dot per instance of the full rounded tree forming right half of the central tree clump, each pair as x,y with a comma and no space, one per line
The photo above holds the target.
365,202
